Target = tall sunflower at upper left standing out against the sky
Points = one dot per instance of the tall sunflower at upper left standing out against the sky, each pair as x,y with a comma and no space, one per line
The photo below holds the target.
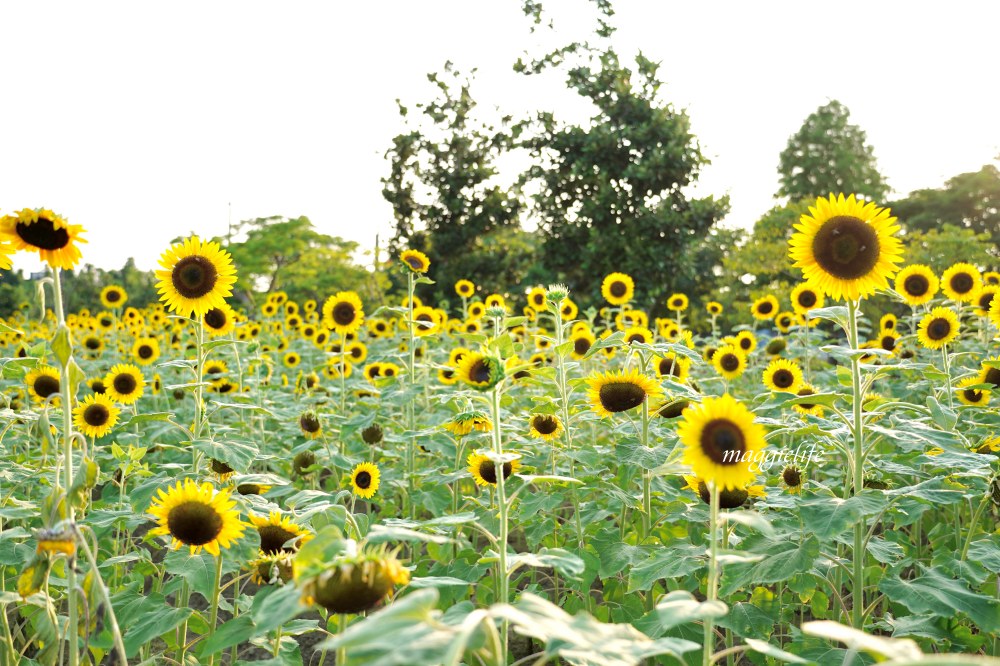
196,276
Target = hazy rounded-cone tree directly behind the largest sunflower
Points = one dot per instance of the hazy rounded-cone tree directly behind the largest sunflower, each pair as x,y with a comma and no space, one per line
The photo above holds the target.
829,155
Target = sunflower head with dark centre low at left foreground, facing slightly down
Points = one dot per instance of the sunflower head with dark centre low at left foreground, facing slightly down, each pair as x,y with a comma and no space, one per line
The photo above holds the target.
197,516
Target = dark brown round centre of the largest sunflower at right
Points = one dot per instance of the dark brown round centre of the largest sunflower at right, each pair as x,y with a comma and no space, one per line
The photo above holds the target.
846,247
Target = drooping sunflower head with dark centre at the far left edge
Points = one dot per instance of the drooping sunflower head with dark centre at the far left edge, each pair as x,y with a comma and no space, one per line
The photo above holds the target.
44,231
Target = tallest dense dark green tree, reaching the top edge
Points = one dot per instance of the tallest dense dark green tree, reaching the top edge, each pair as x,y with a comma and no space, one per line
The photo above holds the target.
610,192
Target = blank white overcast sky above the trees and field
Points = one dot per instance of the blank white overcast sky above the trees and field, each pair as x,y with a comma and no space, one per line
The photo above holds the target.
143,122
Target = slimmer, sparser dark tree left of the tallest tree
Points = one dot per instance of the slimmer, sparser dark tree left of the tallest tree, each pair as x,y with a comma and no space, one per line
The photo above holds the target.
444,192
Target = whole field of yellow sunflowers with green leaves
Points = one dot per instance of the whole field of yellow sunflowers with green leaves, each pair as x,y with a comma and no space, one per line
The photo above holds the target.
514,480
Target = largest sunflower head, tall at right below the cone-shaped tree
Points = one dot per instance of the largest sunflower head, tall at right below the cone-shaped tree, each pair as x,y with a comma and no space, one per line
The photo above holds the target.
845,247
